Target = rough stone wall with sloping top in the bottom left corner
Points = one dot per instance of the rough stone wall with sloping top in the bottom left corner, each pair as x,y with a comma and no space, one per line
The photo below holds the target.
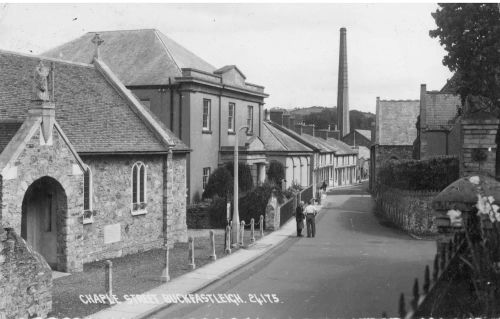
25,279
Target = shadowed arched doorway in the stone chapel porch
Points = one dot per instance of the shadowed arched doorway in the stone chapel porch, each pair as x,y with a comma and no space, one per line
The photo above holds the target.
44,211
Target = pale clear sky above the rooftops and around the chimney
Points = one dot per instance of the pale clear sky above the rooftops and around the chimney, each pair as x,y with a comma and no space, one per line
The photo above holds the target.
291,49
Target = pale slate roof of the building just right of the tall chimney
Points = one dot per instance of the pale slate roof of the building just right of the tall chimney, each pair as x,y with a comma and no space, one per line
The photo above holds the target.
395,122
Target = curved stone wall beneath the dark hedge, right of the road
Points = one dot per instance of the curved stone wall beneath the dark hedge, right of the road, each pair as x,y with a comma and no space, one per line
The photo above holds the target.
410,211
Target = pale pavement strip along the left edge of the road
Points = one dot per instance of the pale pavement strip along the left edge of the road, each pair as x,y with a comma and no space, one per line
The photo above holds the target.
199,278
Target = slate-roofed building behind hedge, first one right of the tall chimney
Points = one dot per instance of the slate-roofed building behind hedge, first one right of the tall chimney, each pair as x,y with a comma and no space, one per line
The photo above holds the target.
394,134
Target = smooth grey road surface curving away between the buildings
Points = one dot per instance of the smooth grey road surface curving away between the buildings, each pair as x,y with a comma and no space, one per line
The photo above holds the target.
355,267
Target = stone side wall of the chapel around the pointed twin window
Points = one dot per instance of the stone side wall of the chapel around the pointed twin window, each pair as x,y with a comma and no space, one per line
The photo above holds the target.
112,203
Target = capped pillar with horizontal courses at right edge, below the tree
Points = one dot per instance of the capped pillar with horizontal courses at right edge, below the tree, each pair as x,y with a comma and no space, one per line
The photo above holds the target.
478,155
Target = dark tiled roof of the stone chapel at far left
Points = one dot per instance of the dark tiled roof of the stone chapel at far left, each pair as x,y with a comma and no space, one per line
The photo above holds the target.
92,113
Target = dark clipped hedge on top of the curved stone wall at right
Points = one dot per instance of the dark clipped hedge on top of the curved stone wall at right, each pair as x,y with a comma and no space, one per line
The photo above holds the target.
431,174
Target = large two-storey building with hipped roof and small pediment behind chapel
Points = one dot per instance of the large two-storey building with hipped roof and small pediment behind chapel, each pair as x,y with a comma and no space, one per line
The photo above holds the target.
203,105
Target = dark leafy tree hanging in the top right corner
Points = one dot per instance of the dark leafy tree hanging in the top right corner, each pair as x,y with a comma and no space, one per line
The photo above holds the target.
470,33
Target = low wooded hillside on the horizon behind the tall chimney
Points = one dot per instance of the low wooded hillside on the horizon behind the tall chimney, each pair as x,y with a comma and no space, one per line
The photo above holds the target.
324,116
